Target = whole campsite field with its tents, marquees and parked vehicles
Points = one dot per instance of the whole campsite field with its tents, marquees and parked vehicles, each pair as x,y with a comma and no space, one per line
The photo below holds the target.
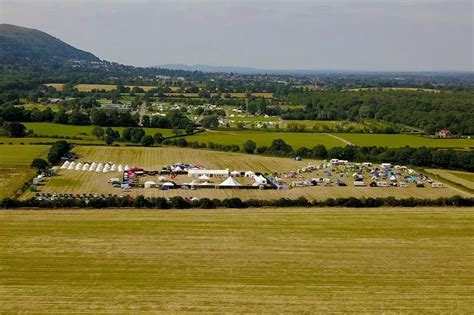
193,173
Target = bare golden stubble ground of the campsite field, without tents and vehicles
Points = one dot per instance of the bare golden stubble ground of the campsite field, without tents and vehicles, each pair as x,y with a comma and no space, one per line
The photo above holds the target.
69,181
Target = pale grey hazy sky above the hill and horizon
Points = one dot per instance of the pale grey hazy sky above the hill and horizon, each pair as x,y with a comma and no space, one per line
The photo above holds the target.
381,35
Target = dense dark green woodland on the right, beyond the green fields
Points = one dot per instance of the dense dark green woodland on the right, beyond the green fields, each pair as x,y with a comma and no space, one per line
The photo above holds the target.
425,110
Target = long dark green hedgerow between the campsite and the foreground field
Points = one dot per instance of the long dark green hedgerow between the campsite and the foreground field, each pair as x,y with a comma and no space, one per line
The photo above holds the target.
206,203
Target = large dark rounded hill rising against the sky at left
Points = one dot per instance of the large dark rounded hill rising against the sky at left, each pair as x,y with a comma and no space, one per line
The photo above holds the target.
20,43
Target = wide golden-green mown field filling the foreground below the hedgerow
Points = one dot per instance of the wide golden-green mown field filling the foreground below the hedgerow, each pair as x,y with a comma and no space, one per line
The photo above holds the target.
237,261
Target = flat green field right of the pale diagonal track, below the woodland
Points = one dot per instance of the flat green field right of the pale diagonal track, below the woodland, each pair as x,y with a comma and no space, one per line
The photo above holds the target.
401,140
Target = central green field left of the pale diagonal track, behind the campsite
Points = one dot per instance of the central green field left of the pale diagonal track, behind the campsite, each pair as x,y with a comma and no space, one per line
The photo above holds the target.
263,138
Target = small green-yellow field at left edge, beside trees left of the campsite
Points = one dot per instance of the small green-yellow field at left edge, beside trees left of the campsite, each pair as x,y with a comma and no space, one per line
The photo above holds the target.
15,168
